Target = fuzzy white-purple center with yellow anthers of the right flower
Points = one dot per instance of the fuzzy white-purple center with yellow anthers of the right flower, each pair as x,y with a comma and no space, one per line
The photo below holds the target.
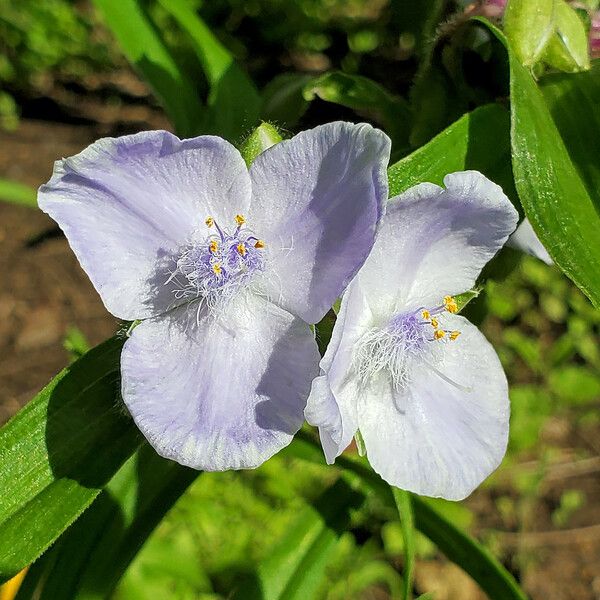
405,339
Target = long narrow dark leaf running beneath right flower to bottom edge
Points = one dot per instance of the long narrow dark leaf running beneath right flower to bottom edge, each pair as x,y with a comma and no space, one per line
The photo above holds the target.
460,548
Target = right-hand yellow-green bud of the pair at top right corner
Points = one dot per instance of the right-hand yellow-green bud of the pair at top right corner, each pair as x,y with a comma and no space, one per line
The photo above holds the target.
568,48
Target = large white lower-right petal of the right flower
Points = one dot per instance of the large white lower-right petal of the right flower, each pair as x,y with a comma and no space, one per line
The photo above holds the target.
439,438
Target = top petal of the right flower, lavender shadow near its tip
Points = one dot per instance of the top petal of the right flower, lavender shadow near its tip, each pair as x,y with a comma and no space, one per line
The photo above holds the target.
434,242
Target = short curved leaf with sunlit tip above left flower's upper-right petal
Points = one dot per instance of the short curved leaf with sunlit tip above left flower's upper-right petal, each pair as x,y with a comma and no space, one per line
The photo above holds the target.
366,97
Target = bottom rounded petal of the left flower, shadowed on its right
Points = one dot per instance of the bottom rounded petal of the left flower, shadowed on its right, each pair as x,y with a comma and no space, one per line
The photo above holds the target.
220,393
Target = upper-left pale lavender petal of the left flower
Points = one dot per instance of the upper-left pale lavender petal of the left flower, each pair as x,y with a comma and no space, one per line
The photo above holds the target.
127,204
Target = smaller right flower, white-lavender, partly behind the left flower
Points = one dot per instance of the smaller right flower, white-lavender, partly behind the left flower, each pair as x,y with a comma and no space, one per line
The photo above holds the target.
421,384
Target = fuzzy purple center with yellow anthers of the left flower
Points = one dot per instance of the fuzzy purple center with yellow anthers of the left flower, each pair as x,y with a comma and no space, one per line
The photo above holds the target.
219,266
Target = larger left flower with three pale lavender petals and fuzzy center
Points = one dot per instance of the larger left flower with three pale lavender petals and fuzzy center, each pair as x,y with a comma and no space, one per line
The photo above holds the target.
227,267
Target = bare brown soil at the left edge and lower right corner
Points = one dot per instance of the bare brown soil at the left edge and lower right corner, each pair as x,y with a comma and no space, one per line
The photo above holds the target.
43,292
